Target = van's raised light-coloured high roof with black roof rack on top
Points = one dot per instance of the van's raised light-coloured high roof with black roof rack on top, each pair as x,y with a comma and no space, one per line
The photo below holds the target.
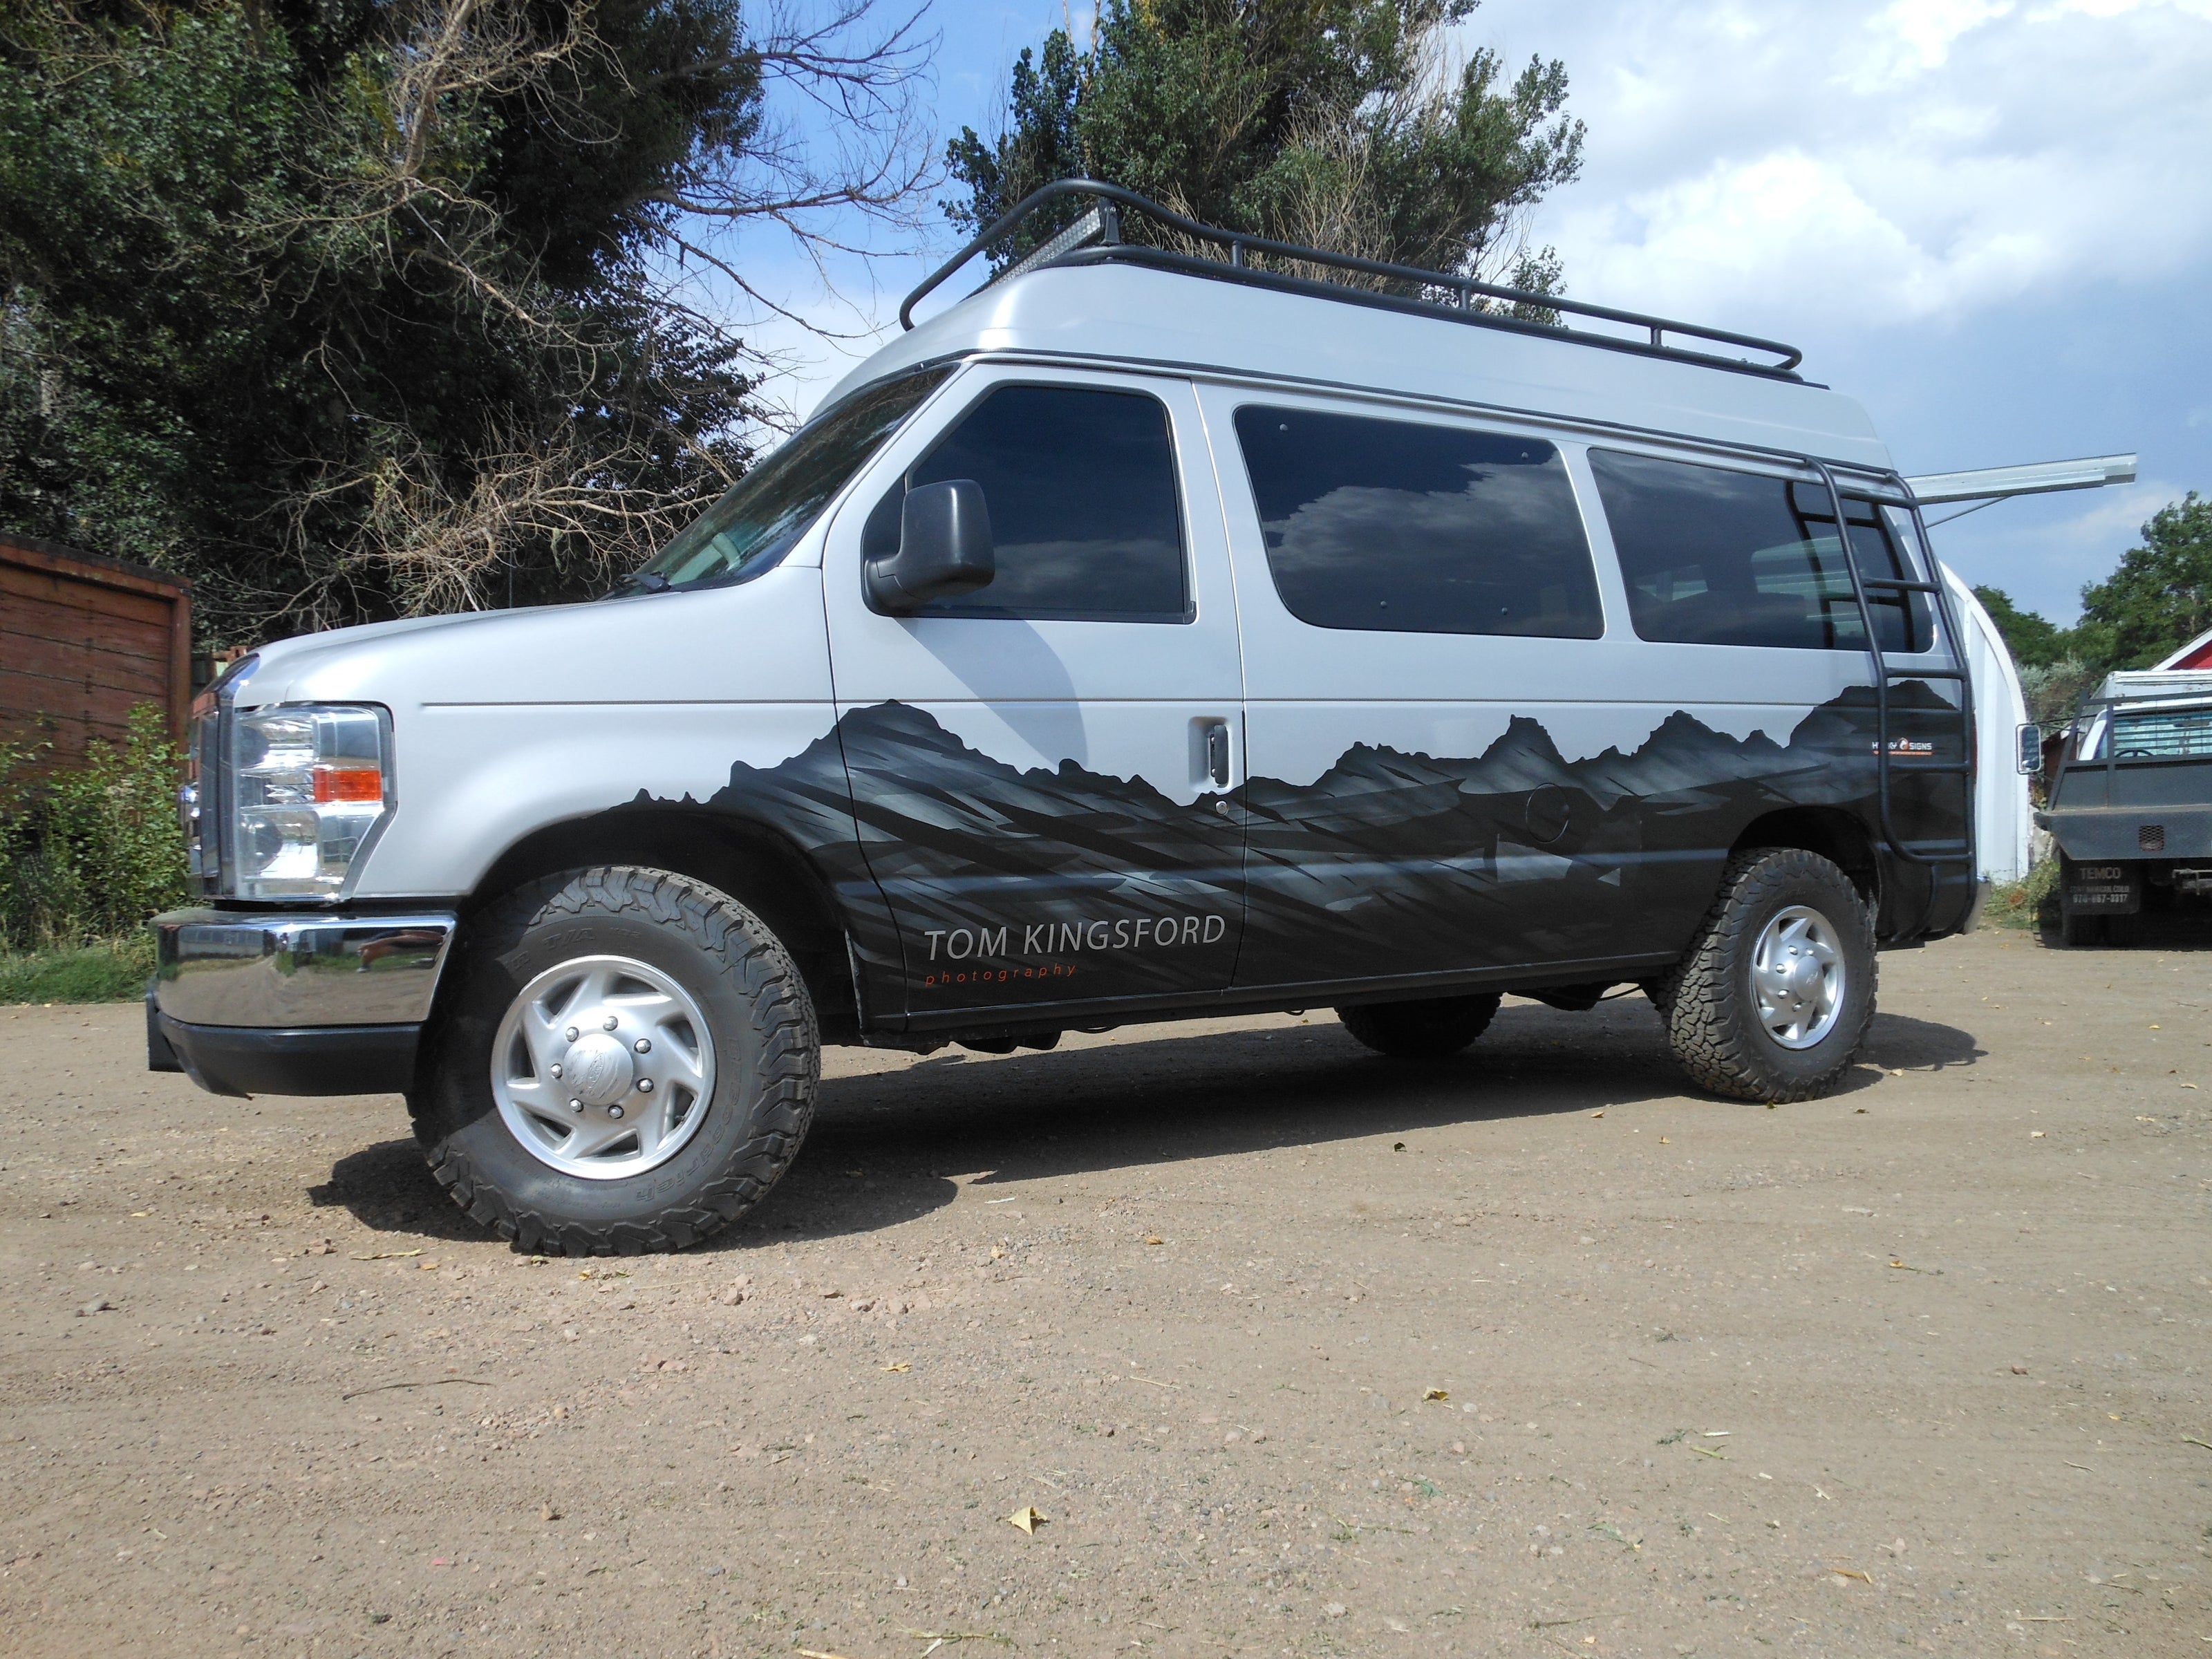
1105,302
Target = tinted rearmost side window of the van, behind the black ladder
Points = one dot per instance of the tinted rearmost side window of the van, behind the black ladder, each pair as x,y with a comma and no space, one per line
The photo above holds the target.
1724,559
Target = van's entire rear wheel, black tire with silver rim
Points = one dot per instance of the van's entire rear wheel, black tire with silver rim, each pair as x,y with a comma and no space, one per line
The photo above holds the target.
1777,990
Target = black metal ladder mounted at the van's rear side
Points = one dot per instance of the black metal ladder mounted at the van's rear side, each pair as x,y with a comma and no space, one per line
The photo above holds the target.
1888,764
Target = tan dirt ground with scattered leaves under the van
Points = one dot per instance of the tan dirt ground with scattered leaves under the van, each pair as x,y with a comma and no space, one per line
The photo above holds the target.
1295,1353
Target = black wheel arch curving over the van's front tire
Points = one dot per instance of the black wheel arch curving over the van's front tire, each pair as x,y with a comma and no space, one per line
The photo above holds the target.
744,859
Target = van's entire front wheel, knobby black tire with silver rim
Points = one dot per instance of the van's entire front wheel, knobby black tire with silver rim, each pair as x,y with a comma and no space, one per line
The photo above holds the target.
629,1063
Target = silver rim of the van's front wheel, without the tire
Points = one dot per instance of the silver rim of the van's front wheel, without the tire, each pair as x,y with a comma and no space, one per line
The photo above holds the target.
603,1067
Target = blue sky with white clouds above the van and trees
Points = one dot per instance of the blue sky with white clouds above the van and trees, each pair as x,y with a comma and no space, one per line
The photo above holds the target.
1985,220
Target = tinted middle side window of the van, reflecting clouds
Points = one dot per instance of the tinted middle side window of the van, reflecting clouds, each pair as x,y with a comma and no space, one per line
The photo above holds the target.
1404,528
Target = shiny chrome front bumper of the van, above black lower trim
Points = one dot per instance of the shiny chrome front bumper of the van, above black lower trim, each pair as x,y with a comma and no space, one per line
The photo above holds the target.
300,970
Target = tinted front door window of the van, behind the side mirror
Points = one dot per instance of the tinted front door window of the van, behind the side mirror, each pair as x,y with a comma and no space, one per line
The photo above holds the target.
1085,510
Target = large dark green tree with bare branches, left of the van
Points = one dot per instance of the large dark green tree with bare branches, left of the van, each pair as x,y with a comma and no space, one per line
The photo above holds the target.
359,309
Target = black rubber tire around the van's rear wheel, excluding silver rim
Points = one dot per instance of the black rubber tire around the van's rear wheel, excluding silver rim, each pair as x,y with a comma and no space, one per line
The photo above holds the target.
1707,999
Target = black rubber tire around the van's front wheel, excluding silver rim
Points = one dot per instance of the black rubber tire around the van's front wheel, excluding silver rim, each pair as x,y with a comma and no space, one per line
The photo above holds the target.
760,1016
